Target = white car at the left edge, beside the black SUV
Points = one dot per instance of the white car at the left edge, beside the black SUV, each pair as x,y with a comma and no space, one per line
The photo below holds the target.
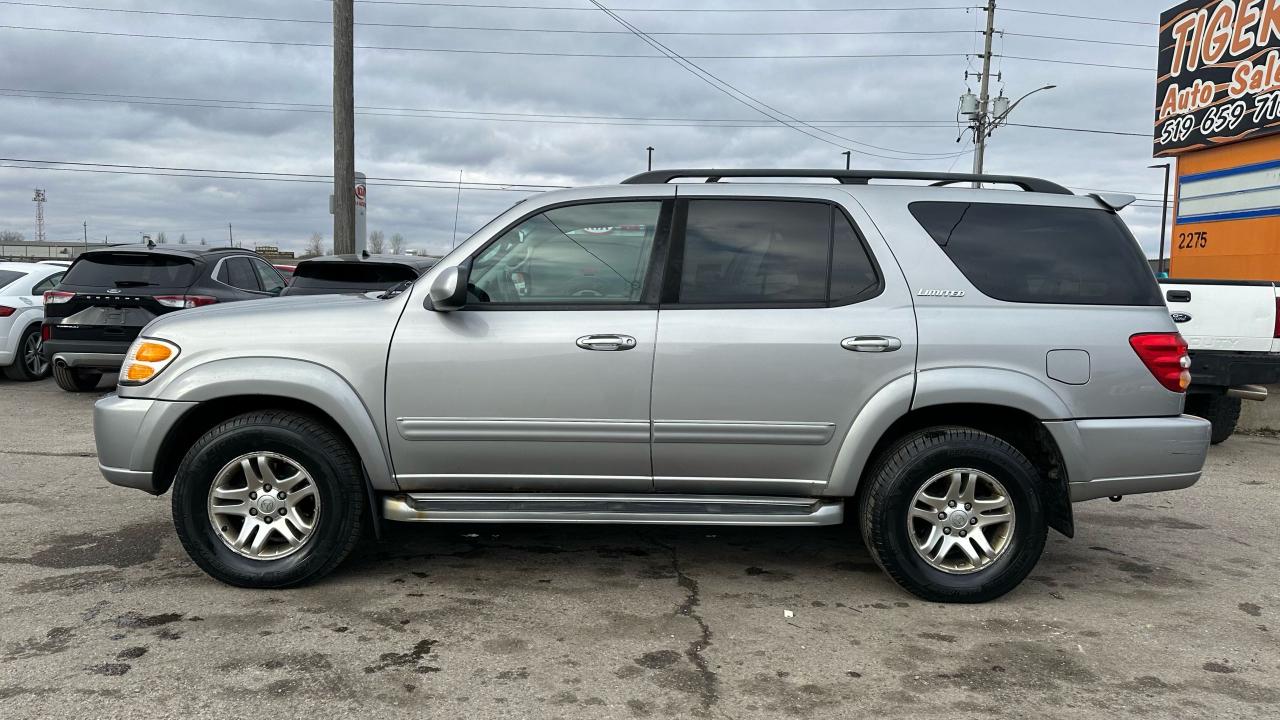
22,309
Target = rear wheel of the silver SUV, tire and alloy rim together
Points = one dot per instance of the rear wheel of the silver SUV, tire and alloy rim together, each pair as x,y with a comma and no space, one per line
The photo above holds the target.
954,516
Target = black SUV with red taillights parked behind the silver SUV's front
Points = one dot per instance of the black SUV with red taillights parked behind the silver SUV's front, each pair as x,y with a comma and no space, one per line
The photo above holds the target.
109,295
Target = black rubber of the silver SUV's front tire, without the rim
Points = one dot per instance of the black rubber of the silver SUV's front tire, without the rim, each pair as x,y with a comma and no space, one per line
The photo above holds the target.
319,450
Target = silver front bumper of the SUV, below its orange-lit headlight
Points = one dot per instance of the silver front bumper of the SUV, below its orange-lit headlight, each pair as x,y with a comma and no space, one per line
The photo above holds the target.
129,434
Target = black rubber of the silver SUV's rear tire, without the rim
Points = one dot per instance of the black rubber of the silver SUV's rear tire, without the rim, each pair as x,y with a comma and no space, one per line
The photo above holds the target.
906,467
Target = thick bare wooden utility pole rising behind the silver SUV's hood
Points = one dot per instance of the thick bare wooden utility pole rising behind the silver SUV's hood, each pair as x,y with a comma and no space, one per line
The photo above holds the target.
344,129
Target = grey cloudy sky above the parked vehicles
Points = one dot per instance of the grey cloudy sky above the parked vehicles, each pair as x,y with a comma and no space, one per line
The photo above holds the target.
490,92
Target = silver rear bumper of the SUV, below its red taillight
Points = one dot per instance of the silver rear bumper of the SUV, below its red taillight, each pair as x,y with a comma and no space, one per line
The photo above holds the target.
1131,455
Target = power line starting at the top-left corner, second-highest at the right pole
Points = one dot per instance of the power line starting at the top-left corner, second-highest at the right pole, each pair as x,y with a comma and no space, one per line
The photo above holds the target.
478,29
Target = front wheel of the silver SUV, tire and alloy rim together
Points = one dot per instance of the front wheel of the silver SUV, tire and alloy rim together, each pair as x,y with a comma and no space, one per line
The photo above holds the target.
269,500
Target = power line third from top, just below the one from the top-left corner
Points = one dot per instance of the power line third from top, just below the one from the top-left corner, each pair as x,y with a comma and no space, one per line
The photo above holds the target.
476,52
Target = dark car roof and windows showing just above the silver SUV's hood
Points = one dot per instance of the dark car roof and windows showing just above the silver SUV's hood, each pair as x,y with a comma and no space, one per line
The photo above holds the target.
356,274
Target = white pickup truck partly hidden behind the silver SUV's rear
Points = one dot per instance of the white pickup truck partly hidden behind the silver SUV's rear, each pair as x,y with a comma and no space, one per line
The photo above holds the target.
1233,329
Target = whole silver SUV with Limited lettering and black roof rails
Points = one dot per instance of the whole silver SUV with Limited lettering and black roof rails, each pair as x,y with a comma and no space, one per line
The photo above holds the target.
953,367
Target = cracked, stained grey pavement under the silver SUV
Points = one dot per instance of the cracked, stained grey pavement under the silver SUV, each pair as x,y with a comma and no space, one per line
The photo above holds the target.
1163,607
